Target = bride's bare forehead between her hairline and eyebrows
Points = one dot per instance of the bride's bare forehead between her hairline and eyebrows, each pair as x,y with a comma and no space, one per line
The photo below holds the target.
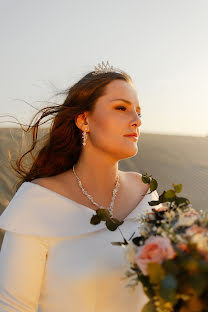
121,89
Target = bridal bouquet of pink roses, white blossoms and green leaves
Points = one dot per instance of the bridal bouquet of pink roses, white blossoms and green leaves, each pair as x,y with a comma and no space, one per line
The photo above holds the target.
170,255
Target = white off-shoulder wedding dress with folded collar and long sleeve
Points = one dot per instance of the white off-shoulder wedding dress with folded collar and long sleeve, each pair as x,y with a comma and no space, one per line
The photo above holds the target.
53,260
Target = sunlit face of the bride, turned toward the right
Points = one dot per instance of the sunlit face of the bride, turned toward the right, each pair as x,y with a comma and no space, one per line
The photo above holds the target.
116,114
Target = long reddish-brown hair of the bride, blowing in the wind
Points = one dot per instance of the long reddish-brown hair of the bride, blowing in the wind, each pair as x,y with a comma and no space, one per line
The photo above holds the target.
64,143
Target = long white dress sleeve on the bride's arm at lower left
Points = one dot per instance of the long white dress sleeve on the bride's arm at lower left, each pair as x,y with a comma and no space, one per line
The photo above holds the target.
22,266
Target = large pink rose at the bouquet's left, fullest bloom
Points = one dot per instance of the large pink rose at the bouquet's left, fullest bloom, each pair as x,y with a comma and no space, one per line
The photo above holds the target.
156,249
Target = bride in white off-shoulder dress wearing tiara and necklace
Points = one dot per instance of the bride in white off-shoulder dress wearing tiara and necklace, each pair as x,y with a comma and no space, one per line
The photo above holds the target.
52,257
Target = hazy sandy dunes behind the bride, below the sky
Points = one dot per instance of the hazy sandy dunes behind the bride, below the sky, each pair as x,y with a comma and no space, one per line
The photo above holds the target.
168,158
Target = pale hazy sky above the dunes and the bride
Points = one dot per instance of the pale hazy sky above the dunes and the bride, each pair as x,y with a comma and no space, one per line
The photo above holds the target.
162,44
